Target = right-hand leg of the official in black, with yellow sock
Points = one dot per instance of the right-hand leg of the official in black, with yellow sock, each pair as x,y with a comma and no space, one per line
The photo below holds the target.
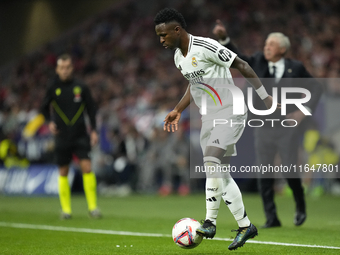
82,150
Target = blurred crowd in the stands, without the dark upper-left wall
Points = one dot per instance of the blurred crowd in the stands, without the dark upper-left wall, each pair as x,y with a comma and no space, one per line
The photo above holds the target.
135,83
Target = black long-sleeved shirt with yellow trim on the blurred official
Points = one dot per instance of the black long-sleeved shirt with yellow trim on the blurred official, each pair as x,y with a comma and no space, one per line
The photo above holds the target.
69,100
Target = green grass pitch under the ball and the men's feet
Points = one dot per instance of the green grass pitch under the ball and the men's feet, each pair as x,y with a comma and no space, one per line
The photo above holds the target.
154,214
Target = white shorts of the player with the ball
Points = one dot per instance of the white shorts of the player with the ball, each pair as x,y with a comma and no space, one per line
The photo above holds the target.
224,136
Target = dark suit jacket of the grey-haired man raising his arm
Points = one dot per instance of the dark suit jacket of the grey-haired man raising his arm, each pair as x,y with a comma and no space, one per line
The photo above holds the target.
295,75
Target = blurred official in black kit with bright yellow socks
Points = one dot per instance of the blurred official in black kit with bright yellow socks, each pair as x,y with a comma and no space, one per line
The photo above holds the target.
70,99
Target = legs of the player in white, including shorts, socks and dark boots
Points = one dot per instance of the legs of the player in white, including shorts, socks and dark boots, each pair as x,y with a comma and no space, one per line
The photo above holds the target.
221,142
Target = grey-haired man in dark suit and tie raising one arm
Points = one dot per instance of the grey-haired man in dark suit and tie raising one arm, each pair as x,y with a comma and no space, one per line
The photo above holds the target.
277,71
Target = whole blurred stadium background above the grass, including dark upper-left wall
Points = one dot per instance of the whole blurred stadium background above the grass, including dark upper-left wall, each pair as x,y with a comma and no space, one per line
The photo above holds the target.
134,83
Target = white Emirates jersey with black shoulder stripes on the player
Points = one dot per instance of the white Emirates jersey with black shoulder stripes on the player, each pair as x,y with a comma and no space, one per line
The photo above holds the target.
206,67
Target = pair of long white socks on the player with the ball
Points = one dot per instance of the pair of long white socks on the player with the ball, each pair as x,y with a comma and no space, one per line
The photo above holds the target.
226,188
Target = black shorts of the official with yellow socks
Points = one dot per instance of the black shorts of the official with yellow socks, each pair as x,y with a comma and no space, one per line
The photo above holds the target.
65,148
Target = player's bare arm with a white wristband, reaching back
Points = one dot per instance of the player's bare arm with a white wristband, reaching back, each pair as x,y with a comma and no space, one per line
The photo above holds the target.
248,73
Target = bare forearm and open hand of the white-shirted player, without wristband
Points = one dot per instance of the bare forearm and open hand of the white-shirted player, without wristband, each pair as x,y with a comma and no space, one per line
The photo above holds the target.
172,119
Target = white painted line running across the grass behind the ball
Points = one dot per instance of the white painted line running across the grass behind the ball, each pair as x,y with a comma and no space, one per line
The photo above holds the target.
127,233
